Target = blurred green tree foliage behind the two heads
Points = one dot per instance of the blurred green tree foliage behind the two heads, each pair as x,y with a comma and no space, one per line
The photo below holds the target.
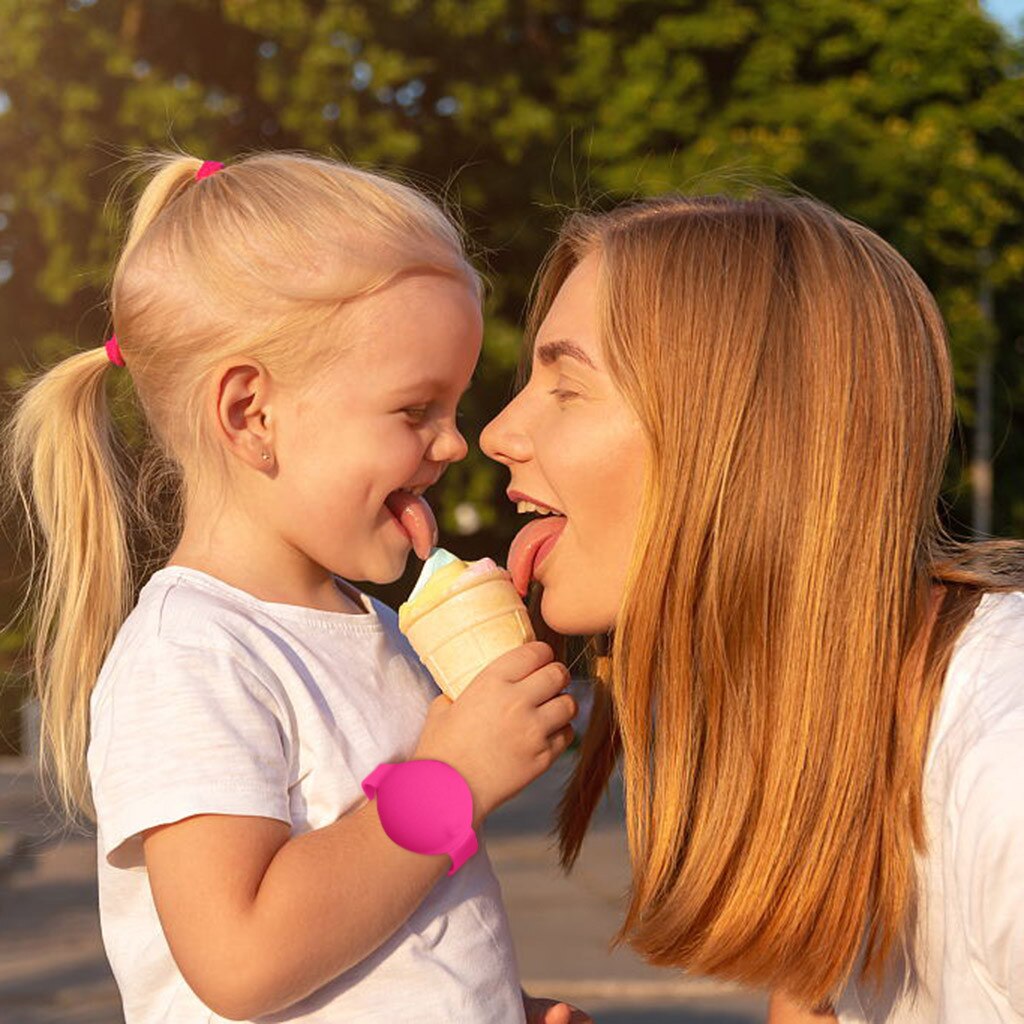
908,115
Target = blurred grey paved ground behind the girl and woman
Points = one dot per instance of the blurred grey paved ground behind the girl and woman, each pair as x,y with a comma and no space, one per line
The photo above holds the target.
53,969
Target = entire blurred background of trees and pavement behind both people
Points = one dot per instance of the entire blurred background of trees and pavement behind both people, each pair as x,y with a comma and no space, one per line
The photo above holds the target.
907,116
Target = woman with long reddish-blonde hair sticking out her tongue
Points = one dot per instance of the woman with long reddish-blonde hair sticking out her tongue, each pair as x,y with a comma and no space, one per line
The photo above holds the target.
737,415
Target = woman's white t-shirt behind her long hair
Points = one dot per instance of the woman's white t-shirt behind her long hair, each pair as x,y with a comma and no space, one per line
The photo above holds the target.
966,965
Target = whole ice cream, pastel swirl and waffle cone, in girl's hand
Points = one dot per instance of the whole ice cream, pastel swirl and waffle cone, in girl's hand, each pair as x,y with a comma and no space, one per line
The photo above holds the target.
461,617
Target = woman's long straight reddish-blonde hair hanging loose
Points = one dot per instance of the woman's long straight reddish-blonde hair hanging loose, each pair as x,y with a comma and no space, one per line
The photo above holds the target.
767,689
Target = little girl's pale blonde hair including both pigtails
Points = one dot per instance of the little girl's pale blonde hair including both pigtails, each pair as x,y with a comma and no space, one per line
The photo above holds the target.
253,262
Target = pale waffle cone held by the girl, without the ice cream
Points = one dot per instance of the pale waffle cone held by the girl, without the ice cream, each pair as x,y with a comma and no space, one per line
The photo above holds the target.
459,635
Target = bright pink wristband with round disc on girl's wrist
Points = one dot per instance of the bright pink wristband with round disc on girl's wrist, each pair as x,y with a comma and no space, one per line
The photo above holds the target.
426,807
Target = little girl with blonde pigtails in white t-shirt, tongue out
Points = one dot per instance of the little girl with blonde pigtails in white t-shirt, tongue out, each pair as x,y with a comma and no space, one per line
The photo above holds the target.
298,334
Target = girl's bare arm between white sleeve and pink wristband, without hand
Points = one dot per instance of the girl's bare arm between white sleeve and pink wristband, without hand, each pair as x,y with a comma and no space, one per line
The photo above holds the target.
257,921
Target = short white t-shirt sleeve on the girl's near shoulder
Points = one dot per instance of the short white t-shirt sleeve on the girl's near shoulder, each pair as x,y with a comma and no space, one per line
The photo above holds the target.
190,732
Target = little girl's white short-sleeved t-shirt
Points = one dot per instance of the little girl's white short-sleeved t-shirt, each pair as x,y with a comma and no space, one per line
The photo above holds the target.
215,702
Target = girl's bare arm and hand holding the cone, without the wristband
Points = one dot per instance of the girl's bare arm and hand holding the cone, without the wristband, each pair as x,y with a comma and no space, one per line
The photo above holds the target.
258,920
